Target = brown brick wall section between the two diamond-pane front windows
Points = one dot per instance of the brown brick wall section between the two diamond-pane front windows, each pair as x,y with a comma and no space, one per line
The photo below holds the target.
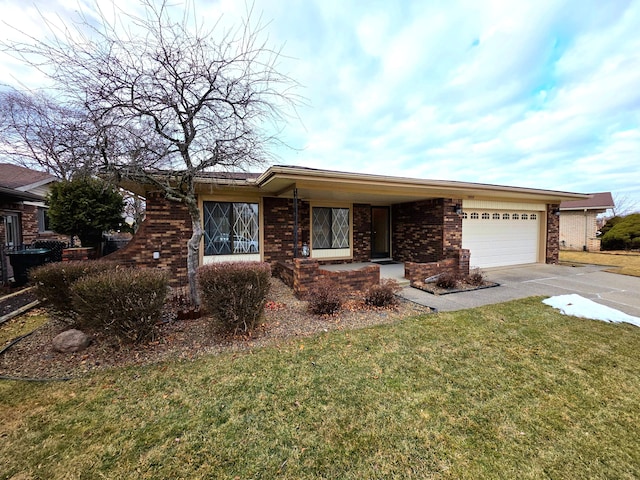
279,228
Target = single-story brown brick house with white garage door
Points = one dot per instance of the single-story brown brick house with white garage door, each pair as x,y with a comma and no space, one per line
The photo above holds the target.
349,217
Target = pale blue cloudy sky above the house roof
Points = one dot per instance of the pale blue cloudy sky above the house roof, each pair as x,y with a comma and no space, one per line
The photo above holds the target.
542,94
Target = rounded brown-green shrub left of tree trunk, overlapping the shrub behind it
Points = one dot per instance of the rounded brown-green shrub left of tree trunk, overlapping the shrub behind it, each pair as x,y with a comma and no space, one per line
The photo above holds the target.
126,303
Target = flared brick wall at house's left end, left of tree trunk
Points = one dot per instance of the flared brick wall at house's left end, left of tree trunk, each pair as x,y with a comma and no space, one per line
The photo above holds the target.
166,229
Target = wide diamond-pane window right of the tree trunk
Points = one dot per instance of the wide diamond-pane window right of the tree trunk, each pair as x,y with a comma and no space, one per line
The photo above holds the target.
231,228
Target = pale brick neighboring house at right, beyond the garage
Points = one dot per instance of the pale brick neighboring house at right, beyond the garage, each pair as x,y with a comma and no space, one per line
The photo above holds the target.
578,221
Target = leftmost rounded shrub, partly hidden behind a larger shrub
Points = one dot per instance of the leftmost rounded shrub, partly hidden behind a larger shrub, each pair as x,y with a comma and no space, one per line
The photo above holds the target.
53,283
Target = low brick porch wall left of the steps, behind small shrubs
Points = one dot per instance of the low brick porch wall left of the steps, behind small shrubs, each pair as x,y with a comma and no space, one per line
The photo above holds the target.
302,273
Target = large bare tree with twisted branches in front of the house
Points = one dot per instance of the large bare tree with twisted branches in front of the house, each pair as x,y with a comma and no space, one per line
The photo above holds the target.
195,100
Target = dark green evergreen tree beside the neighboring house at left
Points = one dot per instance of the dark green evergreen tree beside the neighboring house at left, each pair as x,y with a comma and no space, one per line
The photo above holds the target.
85,207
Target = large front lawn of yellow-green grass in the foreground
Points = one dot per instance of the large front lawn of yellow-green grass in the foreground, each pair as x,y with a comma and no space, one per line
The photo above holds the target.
508,391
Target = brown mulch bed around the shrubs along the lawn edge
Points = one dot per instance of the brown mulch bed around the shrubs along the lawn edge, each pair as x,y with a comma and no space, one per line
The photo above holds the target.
285,317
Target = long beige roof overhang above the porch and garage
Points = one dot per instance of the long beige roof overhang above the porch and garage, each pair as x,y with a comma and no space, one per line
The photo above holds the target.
325,185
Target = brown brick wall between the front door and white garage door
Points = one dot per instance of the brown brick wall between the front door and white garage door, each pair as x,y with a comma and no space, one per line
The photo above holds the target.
425,231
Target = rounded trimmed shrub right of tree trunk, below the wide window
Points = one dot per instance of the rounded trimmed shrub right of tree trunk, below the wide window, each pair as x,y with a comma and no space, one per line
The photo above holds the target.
235,292
